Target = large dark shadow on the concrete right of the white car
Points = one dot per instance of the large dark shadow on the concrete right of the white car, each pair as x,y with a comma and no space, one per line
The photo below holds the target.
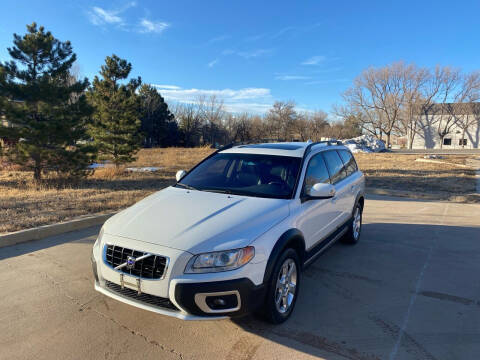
354,299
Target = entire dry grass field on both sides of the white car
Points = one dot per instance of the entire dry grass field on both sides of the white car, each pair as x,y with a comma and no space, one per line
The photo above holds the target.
24,205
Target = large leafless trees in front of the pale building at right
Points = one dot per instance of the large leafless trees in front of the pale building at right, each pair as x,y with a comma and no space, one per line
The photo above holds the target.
404,99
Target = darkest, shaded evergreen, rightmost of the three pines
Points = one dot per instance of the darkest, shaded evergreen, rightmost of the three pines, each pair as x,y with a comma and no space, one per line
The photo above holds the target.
158,125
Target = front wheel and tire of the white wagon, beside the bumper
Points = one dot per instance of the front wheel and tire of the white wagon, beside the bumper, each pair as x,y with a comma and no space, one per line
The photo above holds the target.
281,295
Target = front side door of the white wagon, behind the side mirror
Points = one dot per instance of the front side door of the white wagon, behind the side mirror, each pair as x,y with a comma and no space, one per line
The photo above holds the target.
317,216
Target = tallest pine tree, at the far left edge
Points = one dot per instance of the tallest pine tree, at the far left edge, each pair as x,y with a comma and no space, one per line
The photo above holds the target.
45,105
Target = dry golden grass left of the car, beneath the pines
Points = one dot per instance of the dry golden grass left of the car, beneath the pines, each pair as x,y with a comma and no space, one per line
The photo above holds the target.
24,204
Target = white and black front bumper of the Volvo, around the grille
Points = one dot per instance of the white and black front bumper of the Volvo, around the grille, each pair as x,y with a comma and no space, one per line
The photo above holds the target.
184,296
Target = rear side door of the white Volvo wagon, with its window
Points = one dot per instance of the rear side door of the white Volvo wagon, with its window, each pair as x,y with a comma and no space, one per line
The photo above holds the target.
338,177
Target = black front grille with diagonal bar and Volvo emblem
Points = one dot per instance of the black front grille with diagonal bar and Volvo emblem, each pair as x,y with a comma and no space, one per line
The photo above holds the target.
152,267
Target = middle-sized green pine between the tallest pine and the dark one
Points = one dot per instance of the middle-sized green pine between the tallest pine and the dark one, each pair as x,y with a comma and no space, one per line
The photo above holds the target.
116,120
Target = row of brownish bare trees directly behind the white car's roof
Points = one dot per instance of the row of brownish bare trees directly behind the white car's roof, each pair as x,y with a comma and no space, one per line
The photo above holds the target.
207,121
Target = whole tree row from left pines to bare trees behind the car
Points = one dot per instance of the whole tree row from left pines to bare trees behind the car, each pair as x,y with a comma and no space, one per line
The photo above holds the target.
61,123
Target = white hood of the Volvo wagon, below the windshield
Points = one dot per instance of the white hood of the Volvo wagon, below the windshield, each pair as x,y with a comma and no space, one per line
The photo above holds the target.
197,221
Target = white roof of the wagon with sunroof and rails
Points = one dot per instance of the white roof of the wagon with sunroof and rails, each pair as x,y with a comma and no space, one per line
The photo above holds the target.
295,149
